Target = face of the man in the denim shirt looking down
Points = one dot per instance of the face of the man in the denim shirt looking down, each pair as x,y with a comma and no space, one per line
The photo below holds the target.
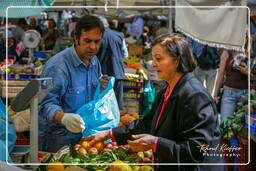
87,46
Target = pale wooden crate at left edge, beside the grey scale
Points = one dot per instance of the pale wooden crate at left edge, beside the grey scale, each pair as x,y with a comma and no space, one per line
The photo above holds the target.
14,87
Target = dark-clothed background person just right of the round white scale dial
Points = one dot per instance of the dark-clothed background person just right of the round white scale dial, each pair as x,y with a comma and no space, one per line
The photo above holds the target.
50,36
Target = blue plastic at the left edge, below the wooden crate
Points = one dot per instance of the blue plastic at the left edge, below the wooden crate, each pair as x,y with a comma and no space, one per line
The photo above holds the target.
11,133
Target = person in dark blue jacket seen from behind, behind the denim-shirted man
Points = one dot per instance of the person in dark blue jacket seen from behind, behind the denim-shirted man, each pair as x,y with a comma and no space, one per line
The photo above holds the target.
112,51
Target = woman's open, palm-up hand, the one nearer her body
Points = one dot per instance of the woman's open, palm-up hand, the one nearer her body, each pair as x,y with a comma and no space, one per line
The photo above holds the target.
141,142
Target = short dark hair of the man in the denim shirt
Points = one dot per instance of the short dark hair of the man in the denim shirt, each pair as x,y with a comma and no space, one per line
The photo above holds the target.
88,23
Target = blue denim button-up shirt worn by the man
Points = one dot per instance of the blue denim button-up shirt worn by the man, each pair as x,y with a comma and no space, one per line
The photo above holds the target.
74,85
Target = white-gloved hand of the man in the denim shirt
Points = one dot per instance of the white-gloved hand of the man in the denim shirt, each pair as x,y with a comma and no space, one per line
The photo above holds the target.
73,122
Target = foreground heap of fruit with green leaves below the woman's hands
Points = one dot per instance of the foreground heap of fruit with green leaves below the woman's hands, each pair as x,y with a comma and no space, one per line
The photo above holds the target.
98,157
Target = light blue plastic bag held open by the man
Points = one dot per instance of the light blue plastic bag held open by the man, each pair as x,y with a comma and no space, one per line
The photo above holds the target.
102,113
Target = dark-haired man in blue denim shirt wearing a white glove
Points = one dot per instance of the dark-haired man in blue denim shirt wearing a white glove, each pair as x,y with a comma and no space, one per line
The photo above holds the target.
75,72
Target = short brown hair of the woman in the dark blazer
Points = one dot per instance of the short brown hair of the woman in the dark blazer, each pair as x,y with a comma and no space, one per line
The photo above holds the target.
177,47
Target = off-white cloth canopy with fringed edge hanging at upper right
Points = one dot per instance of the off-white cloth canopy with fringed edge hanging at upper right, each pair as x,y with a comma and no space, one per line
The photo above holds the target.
216,26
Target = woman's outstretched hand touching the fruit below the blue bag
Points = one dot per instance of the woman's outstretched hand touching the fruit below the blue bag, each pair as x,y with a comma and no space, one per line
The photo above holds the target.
99,137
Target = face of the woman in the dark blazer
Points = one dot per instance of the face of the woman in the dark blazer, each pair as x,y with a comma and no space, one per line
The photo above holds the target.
164,64
